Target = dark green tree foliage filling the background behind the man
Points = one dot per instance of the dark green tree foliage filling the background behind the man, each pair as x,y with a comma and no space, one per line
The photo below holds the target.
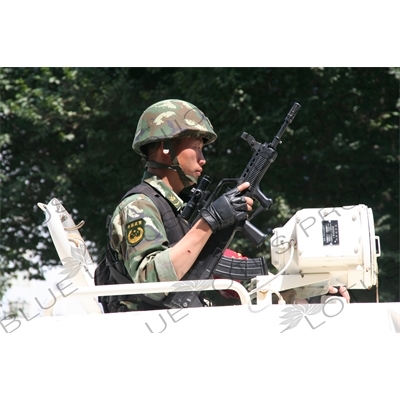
67,133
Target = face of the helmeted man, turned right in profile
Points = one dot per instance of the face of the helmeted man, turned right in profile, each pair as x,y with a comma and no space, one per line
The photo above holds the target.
190,155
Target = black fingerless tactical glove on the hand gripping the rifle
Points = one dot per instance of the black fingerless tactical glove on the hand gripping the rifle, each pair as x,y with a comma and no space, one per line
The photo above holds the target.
226,210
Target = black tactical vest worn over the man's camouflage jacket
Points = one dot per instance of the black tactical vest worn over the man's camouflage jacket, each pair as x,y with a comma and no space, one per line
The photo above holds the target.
111,270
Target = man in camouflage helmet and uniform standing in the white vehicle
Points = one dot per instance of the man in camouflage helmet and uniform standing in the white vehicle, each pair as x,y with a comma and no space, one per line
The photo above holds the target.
170,137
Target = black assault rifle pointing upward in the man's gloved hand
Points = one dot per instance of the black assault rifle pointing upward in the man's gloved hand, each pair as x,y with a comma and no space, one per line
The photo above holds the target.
212,254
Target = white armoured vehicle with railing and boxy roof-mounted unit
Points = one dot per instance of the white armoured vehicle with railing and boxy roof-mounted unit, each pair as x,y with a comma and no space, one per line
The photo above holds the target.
317,248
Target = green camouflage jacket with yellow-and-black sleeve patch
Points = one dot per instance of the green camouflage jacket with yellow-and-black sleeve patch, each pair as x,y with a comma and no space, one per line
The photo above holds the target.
138,234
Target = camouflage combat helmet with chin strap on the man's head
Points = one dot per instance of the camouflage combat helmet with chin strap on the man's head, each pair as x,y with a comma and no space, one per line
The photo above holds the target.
167,120
